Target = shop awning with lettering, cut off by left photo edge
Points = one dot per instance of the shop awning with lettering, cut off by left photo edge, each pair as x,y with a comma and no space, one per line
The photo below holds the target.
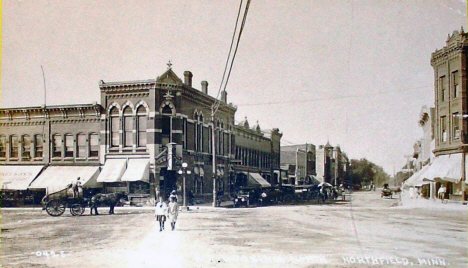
18,177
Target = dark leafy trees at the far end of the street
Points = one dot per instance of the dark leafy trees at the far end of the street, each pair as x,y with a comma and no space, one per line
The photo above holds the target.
363,172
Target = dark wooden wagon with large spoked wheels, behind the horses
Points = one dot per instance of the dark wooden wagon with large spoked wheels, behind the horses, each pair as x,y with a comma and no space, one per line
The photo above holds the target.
56,203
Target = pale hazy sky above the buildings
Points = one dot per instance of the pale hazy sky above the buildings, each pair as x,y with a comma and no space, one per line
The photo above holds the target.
354,73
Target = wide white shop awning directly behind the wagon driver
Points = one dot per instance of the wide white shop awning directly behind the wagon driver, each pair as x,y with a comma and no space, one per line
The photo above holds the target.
57,178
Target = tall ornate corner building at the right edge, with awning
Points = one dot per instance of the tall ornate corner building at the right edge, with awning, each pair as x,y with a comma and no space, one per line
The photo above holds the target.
451,111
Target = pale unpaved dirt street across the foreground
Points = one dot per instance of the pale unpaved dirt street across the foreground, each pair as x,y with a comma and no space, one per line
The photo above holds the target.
366,231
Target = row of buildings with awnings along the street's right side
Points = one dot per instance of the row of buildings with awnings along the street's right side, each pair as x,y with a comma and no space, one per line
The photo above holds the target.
440,155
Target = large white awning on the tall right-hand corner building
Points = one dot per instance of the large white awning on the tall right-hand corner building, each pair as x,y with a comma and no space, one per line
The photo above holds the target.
445,168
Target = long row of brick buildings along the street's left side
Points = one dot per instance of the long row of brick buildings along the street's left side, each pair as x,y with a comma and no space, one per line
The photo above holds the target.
137,138
